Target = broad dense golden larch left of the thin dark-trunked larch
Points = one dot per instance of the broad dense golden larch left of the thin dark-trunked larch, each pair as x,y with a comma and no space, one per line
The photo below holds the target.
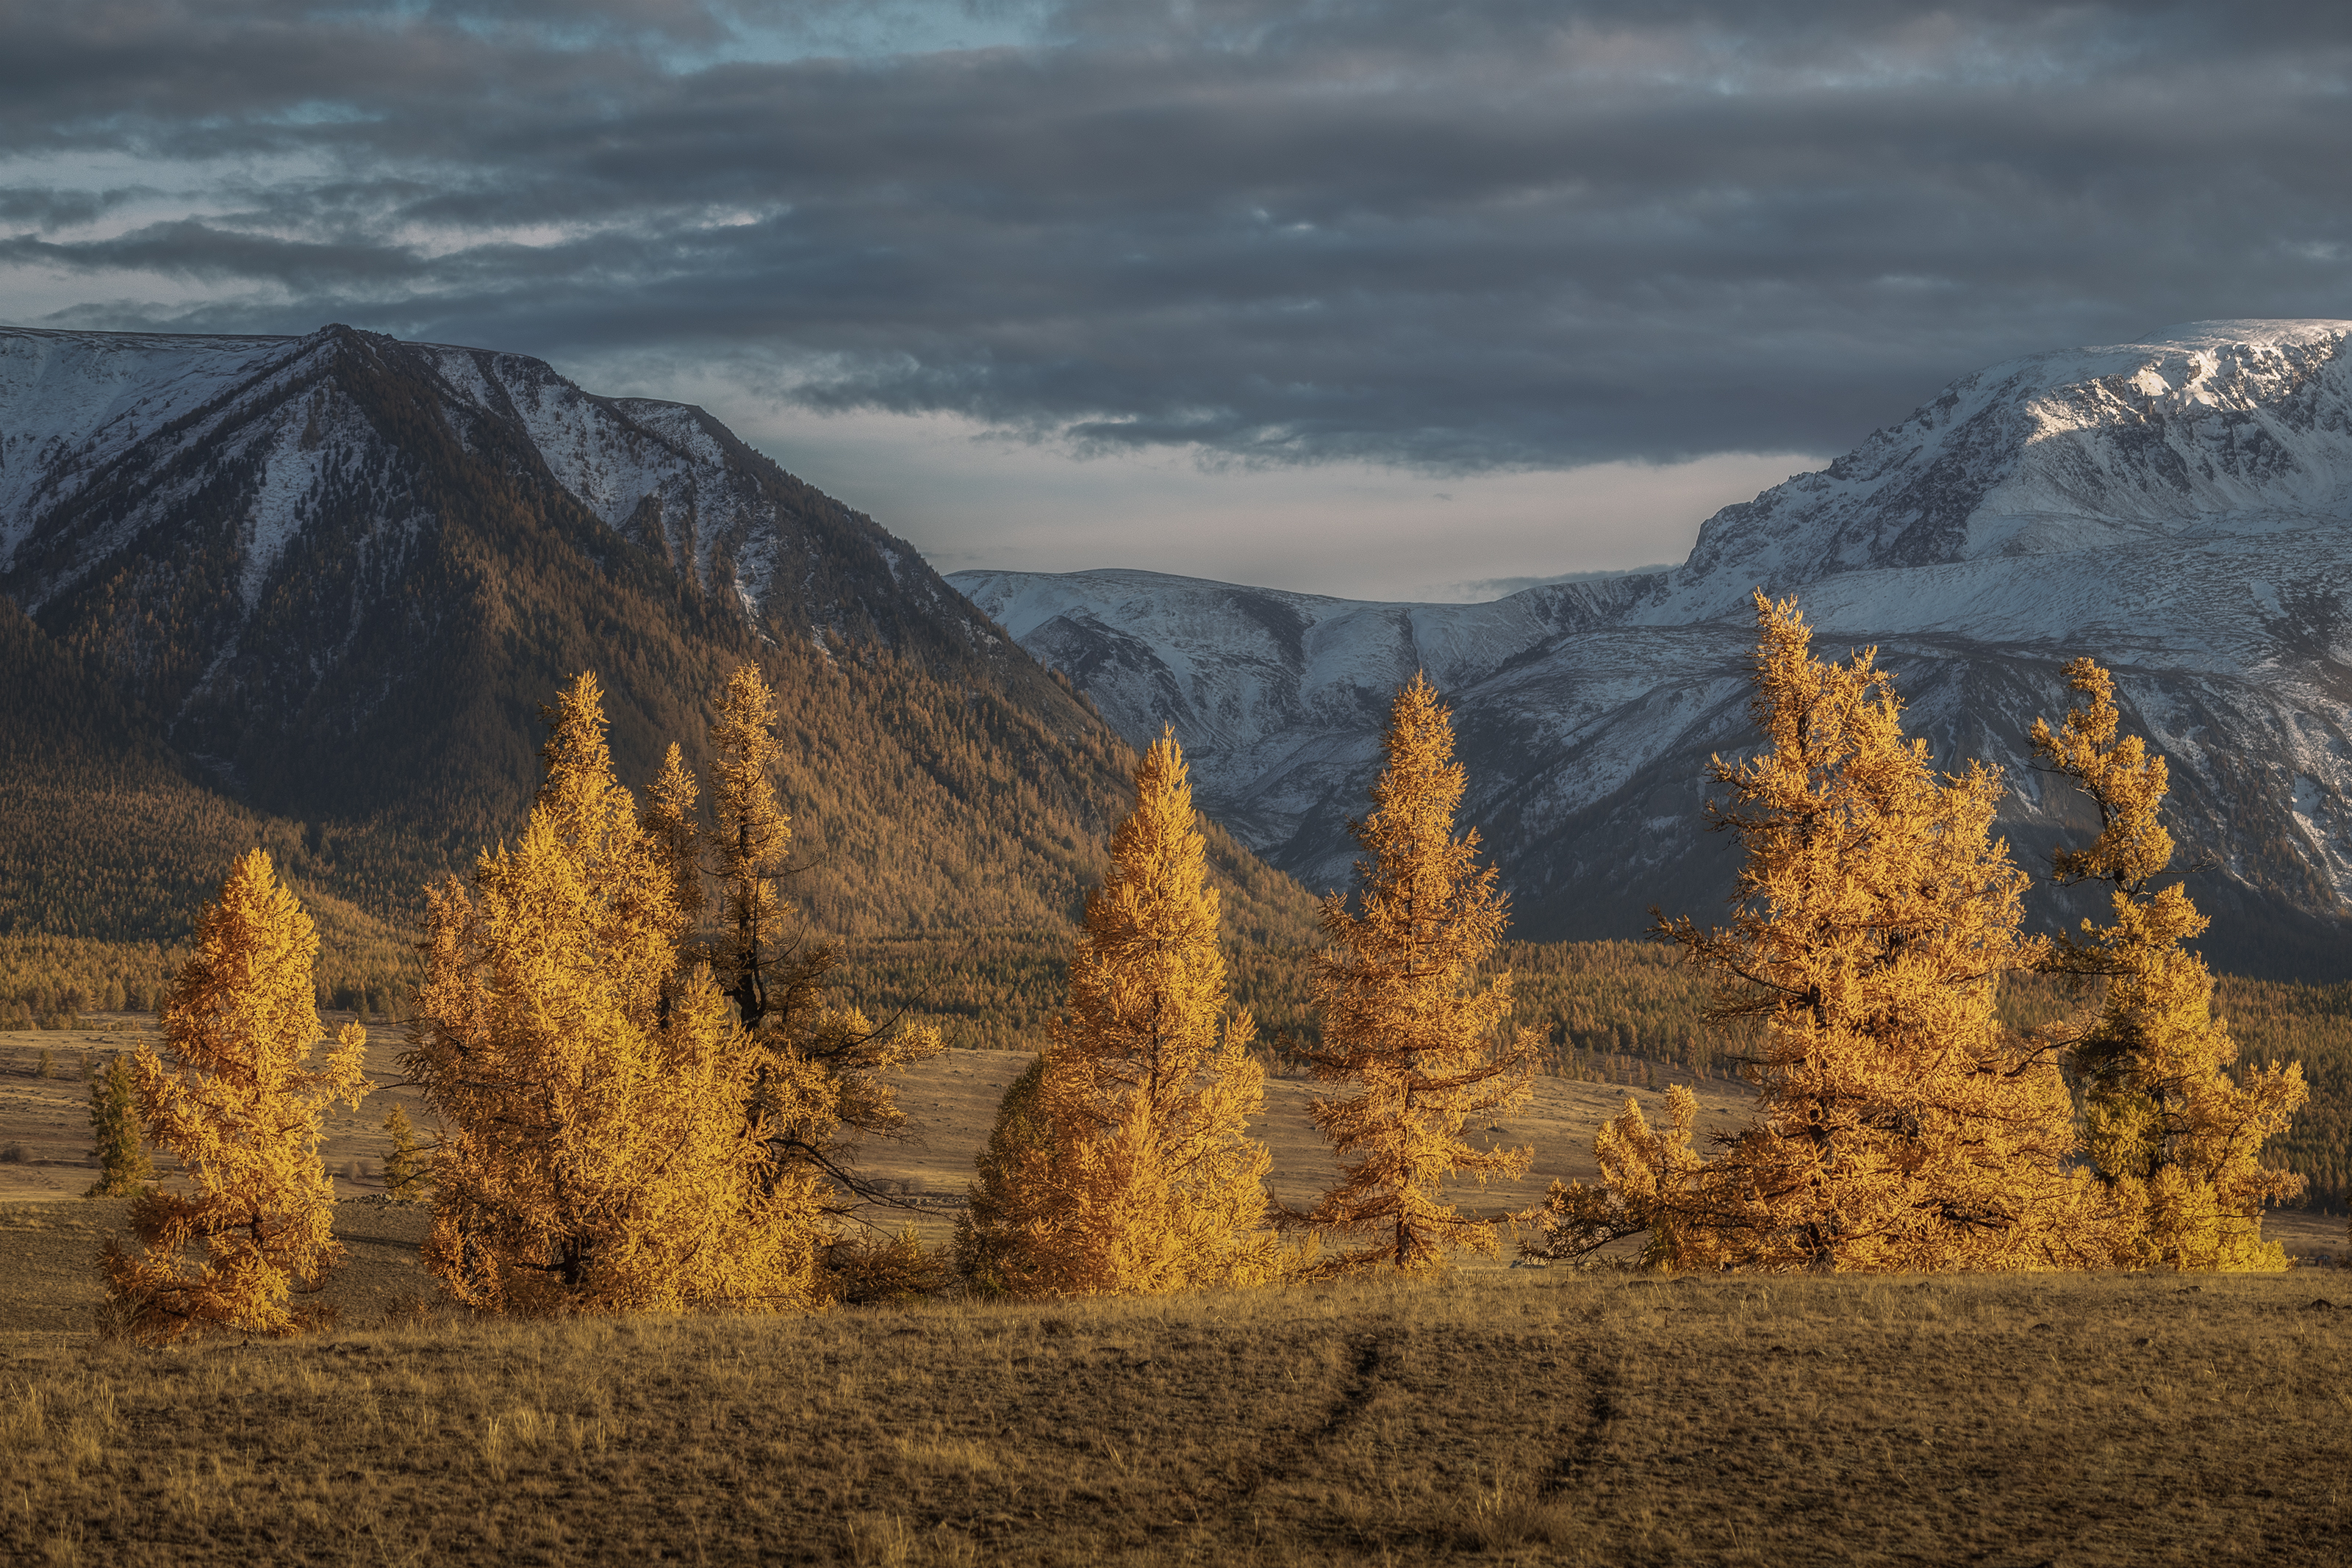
596,1155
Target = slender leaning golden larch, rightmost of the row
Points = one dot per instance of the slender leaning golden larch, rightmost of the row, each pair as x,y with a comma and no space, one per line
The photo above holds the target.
2174,1137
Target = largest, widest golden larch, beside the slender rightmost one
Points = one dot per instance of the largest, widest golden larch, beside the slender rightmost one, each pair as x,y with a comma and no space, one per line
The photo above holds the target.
1902,1125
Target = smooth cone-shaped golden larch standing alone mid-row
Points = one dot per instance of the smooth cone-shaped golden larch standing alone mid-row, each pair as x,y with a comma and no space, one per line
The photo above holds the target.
1125,1165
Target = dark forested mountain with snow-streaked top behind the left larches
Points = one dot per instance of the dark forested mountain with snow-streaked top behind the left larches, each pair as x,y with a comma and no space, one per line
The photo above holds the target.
326,584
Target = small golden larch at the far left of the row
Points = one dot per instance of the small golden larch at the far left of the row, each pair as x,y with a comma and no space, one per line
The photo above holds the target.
243,1108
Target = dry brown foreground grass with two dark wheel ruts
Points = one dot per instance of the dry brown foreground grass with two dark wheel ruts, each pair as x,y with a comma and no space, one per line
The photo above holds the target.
1506,1416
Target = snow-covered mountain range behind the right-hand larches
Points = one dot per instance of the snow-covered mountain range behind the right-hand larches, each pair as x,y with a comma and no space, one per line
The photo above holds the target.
2179,509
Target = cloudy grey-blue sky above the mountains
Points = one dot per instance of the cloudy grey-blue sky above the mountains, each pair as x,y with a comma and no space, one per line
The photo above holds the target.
1363,297
